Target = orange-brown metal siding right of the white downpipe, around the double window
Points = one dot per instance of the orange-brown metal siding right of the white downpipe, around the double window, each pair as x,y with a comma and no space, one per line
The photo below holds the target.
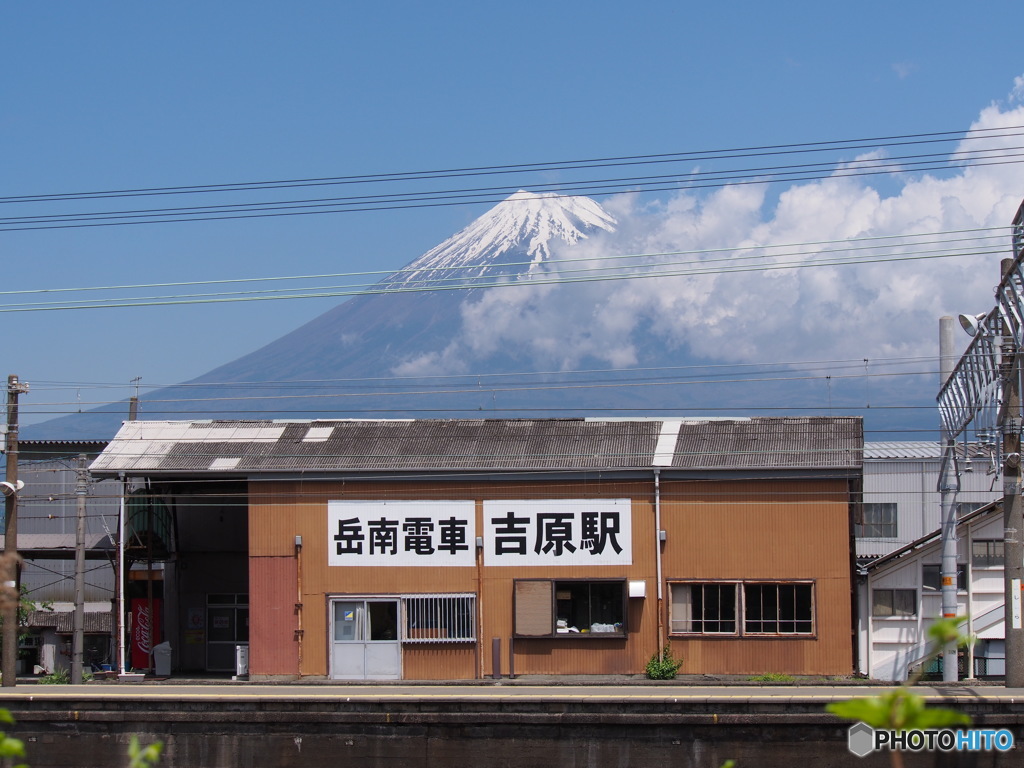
769,531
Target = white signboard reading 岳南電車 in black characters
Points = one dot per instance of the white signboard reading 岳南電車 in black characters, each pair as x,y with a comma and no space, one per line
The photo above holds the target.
402,533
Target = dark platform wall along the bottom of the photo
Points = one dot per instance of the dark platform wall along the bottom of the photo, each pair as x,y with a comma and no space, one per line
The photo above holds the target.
471,735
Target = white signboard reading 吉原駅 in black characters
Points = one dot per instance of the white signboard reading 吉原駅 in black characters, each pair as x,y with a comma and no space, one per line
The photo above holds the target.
562,532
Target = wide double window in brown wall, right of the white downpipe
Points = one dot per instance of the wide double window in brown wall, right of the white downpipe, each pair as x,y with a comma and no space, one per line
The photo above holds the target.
749,609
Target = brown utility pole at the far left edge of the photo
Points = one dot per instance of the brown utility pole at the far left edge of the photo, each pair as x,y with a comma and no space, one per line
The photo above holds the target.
10,588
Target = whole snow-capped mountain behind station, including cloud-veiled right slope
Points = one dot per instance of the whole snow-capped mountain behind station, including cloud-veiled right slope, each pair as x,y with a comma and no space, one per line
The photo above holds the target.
436,340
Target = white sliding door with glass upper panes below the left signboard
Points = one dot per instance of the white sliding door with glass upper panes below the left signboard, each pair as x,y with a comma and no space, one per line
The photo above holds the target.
366,644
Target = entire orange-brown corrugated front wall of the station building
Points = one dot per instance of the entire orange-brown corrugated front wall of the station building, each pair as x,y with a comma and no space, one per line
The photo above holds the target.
753,530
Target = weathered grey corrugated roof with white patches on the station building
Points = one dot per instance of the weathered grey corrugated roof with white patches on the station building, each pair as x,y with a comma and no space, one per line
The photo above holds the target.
424,445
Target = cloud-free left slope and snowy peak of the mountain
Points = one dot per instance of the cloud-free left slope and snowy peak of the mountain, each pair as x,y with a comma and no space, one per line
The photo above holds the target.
355,360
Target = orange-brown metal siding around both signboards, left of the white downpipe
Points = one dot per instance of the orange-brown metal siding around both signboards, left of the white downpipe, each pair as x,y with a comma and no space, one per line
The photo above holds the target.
282,510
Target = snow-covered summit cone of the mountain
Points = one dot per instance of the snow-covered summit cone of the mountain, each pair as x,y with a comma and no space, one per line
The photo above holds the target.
522,229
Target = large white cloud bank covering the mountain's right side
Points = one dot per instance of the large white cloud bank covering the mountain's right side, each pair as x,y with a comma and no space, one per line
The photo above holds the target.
870,311
